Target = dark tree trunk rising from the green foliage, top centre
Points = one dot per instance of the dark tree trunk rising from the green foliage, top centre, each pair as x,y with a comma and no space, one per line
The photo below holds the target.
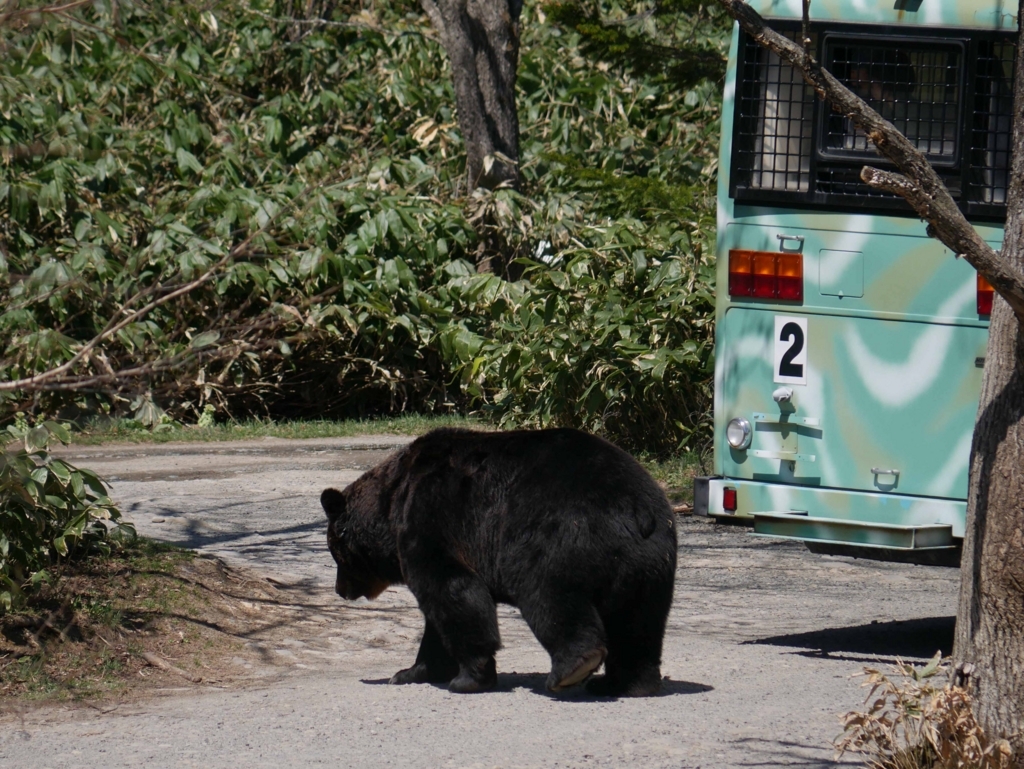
482,38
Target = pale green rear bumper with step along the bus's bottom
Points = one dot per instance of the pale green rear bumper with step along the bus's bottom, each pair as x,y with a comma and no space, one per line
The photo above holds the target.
837,518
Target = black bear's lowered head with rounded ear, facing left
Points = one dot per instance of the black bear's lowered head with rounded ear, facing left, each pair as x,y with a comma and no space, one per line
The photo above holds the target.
357,574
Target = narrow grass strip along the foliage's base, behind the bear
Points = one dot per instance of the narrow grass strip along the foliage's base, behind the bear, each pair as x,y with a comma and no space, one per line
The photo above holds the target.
127,431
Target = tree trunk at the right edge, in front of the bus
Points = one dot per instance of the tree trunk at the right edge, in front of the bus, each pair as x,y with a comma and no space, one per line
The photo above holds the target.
991,618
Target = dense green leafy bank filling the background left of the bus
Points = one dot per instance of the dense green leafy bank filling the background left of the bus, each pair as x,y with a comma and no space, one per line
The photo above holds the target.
289,196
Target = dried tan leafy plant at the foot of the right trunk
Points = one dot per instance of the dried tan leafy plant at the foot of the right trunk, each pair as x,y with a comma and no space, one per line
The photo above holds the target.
914,721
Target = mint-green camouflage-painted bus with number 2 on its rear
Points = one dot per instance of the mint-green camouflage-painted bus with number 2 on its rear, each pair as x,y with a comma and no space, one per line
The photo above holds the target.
849,344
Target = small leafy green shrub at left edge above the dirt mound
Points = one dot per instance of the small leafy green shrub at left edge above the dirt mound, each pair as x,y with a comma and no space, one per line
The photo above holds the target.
50,510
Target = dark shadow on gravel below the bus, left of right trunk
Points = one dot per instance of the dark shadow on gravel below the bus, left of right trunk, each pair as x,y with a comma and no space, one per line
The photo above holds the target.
903,638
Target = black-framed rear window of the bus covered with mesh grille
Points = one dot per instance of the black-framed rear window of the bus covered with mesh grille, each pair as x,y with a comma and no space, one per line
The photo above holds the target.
952,98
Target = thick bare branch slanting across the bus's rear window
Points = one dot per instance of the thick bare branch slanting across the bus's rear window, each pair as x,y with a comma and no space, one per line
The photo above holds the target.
920,186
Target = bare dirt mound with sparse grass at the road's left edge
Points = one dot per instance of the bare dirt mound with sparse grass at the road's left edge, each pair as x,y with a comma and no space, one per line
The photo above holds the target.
97,631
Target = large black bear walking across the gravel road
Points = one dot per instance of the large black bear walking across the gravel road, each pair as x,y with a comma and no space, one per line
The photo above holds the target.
565,526
